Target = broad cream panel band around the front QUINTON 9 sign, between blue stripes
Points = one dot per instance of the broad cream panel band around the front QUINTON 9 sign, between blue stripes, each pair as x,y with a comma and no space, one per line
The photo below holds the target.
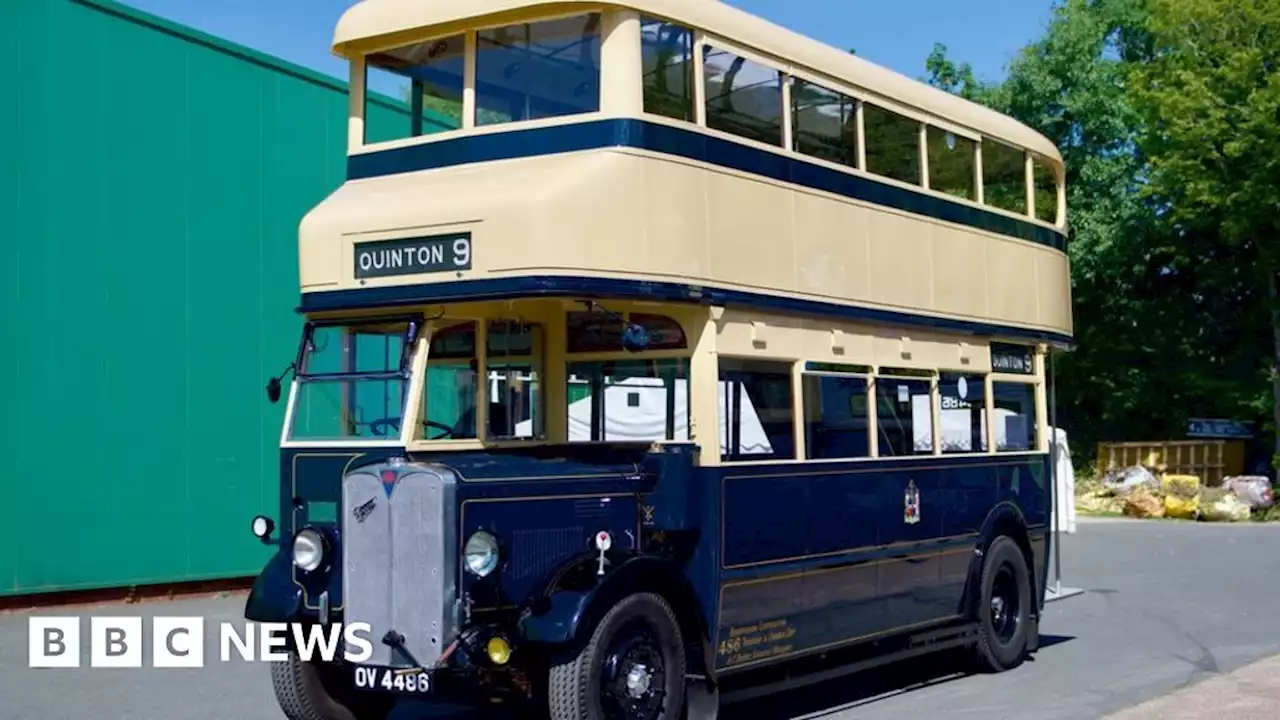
633,215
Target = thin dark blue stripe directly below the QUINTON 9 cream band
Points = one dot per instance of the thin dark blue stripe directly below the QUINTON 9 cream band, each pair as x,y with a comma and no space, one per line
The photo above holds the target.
569,286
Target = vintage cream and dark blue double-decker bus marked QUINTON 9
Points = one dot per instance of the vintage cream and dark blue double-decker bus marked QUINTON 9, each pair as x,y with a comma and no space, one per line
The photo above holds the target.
655,354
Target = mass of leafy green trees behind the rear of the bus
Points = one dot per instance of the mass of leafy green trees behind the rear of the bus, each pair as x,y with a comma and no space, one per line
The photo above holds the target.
1167,117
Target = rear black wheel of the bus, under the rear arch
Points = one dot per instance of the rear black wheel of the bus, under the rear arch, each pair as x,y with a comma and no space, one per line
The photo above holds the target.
1004,608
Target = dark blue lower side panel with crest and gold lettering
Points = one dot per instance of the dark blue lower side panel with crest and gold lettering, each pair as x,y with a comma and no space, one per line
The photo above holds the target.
821,554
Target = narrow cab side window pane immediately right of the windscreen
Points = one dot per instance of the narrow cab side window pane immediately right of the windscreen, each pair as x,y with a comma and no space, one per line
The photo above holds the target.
450,391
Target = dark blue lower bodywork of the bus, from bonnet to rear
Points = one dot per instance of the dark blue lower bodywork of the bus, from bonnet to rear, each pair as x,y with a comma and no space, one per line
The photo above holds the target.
794,558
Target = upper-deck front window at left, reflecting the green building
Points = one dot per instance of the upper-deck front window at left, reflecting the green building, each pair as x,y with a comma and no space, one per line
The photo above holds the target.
414,90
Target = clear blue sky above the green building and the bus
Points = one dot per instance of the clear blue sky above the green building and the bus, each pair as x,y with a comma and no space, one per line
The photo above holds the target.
897,34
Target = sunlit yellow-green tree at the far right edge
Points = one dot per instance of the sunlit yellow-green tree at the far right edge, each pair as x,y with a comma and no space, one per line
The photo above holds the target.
1210,99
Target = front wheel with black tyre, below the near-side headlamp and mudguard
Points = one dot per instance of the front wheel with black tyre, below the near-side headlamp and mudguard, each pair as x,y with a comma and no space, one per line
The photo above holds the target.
632,668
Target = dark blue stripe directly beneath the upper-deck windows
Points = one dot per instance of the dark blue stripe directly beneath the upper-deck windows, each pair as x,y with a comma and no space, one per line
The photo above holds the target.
696,145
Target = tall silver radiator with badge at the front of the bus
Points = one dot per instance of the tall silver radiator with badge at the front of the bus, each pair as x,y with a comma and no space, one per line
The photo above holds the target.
400,559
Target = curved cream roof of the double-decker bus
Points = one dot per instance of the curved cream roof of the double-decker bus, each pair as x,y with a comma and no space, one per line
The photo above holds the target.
374,24
